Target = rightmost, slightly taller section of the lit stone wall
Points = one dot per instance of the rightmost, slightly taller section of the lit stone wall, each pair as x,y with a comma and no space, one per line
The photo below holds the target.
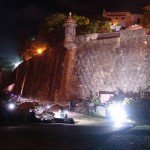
133,72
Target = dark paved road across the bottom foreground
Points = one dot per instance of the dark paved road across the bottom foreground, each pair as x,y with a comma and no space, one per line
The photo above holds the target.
52,137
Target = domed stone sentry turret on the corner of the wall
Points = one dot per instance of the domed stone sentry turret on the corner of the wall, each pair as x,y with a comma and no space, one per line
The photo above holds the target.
70,33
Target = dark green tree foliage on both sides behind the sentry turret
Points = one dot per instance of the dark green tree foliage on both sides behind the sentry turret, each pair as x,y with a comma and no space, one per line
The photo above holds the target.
53,26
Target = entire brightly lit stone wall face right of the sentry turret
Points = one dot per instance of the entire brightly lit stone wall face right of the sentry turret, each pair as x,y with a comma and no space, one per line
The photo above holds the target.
108,61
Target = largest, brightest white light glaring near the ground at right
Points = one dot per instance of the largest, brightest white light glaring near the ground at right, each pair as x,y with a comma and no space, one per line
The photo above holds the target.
117,113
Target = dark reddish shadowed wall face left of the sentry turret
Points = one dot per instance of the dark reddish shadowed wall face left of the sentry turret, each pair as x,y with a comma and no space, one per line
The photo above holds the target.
44,76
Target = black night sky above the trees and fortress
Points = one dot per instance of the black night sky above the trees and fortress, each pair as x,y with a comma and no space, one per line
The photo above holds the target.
22,16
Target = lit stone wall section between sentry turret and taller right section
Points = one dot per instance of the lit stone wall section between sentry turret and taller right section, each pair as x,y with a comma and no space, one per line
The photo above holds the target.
95,64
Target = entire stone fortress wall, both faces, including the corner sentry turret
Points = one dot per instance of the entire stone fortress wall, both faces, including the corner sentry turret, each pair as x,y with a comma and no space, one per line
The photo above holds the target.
94,62
